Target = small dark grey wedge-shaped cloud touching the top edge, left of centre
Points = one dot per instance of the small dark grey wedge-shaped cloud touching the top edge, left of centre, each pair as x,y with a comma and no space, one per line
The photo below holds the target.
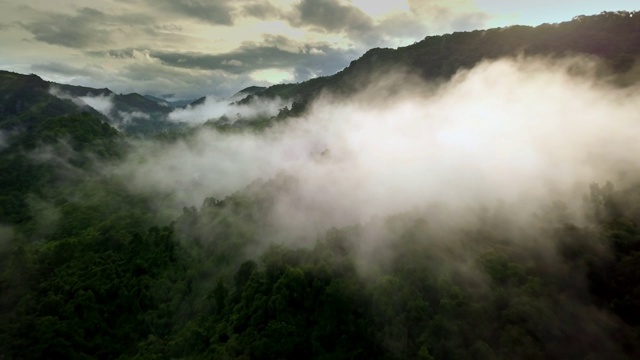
212,12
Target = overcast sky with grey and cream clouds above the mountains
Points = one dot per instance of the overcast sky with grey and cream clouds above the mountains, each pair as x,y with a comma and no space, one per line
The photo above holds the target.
189,48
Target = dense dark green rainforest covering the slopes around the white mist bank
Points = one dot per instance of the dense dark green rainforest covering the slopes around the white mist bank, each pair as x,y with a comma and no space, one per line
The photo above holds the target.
90,268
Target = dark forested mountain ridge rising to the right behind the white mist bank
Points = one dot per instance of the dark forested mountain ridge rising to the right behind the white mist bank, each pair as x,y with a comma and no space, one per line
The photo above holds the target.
613,37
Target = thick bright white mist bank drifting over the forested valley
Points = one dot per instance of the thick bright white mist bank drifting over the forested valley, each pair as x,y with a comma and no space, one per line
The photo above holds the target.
521,132
